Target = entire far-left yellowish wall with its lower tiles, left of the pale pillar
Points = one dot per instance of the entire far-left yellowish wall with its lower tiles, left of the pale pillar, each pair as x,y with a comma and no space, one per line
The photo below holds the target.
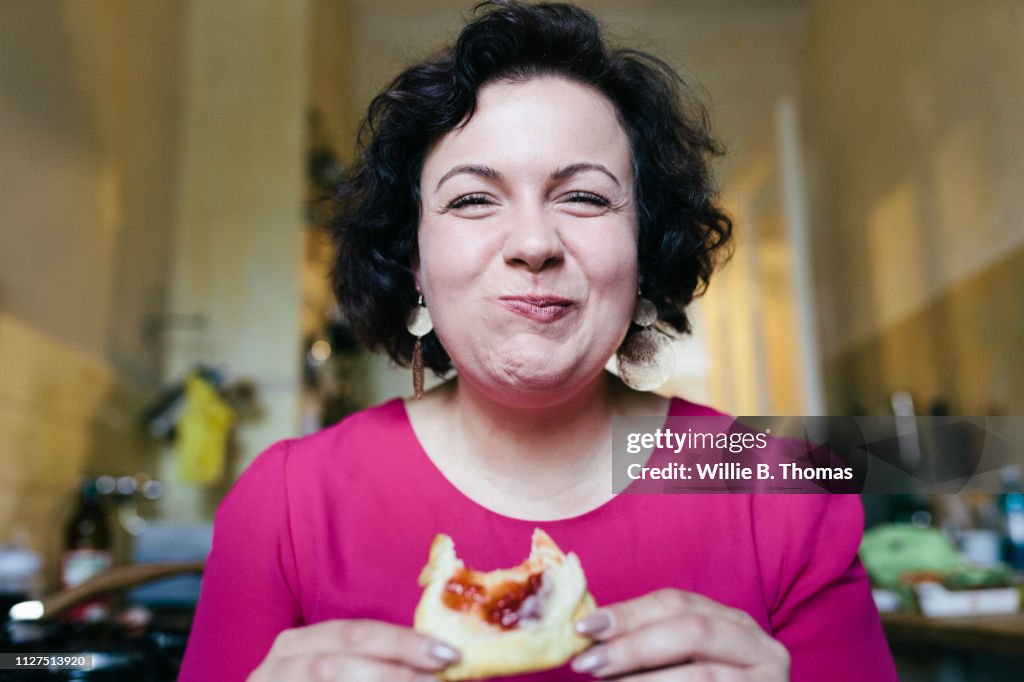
87,215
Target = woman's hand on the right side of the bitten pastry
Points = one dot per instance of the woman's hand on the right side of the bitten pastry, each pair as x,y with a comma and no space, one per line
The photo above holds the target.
678,636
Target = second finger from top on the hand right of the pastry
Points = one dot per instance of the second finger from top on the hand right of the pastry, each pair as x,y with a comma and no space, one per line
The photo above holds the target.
687,637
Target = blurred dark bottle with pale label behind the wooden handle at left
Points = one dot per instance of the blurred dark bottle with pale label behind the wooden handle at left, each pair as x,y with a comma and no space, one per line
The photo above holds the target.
89,548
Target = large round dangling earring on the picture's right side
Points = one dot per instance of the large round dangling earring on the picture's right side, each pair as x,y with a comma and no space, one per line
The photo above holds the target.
647,359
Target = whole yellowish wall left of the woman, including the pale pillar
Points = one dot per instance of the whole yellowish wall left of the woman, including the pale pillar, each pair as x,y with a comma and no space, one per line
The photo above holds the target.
151,178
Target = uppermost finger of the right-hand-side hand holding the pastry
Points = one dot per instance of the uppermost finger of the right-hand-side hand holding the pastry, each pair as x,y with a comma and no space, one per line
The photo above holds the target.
628,616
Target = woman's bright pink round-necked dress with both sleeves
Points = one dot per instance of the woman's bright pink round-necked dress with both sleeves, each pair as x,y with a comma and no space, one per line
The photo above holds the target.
338,525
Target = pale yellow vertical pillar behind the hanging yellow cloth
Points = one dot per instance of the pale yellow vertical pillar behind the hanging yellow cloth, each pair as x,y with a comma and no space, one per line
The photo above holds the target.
239,218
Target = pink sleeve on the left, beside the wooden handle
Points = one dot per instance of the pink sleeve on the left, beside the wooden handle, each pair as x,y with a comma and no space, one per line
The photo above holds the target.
250,587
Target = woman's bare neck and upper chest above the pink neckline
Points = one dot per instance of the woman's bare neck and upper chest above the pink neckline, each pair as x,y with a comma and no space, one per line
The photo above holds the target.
543,461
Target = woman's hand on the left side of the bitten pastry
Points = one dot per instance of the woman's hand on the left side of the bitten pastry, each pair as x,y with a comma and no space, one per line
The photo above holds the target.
370,651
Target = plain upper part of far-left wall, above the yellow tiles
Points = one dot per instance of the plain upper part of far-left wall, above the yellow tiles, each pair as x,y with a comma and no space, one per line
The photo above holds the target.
88,174
